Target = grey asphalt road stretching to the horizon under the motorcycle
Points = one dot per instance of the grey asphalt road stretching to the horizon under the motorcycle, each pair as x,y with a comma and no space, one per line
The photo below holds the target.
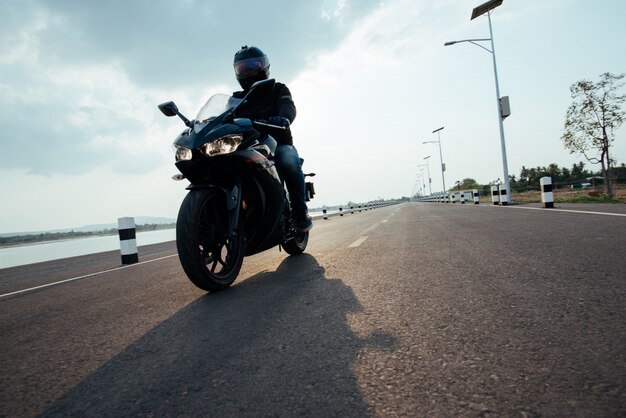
418,309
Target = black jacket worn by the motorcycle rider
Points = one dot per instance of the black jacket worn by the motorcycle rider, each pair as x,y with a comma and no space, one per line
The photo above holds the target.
277,103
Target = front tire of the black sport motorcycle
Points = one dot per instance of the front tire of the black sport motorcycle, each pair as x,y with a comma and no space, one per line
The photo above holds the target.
208,256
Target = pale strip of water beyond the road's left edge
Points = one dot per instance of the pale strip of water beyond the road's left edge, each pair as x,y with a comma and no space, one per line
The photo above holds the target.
35,253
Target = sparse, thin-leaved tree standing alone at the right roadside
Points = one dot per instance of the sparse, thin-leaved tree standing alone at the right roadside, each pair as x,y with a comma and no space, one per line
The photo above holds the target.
592,119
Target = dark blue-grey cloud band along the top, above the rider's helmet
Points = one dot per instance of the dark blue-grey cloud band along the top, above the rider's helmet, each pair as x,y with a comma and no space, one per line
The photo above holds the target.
165,42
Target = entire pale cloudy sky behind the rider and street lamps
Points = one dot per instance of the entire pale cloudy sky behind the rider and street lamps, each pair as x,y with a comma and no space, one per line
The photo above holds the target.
82,141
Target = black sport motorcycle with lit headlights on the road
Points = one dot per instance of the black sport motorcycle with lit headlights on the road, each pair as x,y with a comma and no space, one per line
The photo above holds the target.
237,204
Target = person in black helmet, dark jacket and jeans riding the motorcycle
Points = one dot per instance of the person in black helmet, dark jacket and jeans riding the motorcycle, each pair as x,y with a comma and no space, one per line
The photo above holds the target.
252,65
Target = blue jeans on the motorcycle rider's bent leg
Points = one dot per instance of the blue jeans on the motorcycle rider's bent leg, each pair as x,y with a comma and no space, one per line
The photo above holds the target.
290,170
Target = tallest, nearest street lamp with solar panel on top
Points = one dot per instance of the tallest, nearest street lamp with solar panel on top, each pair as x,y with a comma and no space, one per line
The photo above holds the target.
501,103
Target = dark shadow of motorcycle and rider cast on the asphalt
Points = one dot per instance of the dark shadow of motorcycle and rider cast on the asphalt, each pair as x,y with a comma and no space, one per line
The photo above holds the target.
276,344
